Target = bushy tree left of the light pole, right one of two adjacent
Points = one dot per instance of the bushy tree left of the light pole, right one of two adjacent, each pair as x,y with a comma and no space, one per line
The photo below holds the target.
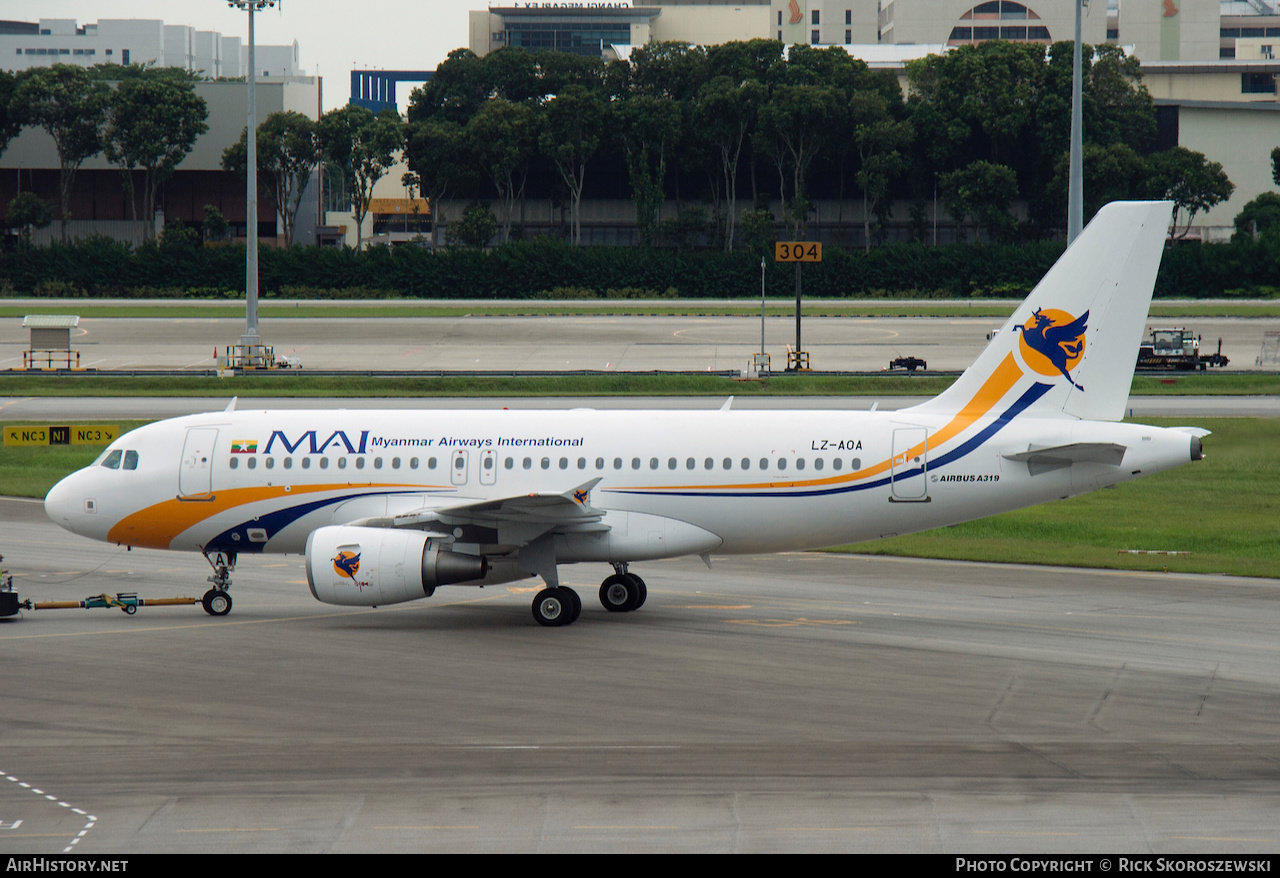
153,120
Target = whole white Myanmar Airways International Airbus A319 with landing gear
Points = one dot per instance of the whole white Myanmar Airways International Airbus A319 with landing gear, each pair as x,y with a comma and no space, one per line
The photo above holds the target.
388,506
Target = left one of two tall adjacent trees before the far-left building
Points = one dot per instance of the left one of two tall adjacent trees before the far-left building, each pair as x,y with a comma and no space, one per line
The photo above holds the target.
68,103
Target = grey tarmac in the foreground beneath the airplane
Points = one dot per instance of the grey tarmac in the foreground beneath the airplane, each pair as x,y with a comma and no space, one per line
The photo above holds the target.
771,705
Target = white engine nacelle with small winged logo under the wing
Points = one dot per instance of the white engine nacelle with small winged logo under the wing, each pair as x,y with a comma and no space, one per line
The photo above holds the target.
373,566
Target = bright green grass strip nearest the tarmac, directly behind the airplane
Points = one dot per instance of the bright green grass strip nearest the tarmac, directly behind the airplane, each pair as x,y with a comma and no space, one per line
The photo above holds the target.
1224,511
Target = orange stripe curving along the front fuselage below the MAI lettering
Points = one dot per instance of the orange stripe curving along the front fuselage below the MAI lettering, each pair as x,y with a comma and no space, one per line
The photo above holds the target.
157,527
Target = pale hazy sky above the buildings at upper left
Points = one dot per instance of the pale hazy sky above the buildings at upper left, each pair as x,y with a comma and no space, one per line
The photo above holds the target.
335,36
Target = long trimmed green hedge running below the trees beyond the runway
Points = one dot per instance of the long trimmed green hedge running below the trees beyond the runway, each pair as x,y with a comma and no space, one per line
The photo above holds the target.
532,269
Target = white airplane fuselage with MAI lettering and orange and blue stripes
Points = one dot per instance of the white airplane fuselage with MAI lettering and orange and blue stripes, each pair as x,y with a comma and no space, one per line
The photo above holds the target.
756,482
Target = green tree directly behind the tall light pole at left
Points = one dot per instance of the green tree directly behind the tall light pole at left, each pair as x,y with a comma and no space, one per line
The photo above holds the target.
289,152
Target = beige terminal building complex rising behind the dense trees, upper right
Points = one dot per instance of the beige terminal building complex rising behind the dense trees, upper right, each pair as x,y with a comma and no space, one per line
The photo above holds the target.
1209,65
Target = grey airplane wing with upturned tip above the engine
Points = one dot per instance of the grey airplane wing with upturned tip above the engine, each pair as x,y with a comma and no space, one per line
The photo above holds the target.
510,520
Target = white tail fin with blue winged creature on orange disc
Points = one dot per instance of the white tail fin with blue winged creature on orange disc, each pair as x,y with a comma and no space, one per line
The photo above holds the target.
1072,346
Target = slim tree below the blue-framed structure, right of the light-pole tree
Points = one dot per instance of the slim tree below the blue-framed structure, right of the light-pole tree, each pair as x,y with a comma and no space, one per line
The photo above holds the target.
365,148
